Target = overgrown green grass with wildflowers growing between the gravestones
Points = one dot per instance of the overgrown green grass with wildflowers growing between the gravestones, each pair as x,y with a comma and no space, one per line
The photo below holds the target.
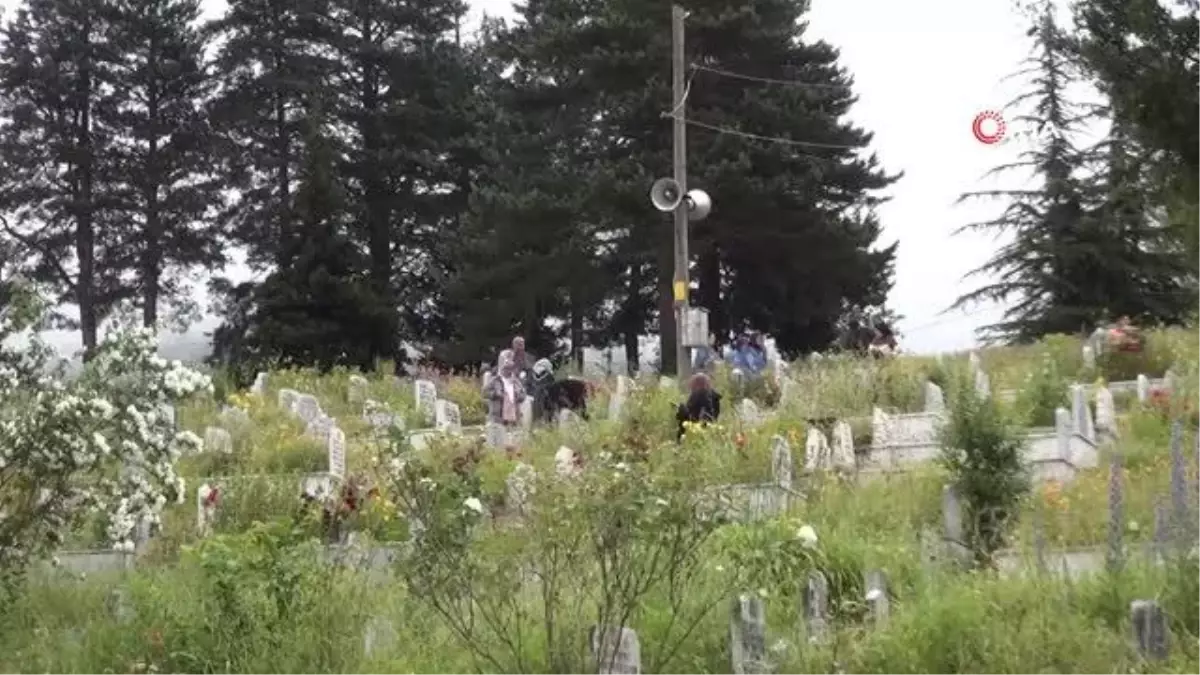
629,542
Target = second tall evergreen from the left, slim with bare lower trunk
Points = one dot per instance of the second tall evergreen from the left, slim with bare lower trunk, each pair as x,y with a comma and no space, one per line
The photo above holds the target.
165,147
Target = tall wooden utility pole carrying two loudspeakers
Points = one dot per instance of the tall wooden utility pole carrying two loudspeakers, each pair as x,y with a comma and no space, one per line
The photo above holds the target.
679,69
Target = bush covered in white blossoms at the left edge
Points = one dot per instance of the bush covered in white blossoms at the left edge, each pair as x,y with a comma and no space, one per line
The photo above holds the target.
105,441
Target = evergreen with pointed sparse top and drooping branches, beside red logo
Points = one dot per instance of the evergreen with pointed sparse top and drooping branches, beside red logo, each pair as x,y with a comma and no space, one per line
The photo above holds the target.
1085,247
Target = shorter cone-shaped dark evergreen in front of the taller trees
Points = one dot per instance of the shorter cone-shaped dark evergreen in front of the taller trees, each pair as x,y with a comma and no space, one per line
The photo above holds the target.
317,310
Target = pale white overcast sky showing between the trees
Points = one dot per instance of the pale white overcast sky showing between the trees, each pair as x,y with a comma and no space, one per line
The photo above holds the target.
923,71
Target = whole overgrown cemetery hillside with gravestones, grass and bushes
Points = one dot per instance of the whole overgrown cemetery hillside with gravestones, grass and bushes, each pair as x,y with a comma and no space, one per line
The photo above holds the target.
1024,510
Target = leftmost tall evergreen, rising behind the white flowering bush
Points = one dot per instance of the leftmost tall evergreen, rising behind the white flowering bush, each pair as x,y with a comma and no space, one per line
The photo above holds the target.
57,76
